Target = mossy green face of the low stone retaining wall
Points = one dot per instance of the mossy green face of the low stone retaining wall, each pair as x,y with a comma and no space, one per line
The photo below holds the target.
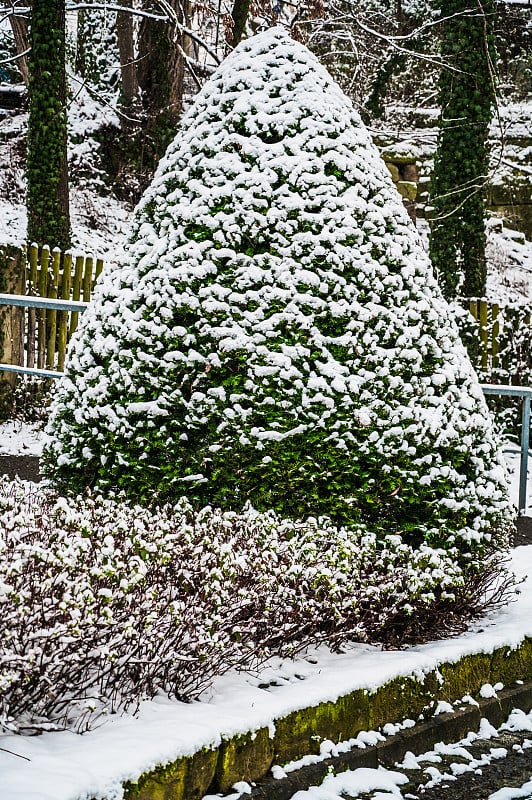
249,756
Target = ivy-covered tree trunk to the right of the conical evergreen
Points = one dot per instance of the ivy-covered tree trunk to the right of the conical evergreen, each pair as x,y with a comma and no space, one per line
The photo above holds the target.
467,96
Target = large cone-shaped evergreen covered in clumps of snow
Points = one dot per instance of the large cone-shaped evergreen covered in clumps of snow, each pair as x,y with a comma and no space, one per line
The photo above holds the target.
274,333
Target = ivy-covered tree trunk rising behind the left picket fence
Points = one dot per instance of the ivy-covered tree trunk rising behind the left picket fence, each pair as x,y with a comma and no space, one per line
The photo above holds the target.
46,167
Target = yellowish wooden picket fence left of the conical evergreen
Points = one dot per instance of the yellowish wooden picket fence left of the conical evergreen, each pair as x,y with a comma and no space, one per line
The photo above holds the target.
38,337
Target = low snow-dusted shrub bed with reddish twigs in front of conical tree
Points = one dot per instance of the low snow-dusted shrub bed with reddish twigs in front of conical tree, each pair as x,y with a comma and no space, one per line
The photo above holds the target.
103,603
